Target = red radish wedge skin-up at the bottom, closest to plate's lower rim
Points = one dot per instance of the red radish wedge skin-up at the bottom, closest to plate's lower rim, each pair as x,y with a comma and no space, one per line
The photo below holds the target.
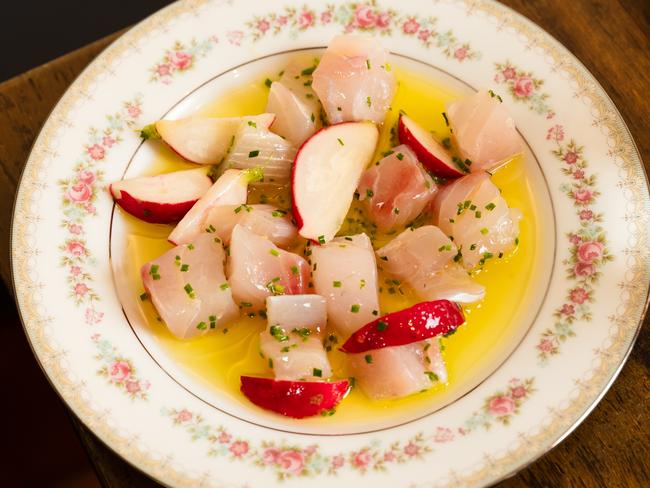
297,399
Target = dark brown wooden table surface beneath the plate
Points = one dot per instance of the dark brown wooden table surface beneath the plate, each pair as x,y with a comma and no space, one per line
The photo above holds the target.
611,448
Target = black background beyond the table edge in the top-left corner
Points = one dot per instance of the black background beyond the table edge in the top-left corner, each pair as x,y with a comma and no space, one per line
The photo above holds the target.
33,32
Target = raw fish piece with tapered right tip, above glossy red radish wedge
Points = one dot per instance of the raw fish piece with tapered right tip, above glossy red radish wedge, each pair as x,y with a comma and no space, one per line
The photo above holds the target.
424,258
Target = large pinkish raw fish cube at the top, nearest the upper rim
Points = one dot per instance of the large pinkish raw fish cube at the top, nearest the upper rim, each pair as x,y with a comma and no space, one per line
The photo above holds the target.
354,80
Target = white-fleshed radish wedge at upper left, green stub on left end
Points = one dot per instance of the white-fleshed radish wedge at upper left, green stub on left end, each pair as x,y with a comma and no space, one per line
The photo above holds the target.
202,140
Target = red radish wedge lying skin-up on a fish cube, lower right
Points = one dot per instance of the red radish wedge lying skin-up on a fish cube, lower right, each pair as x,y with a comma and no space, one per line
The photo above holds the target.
413,324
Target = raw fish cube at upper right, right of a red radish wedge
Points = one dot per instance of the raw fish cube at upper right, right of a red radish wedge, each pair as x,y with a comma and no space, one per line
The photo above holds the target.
484,131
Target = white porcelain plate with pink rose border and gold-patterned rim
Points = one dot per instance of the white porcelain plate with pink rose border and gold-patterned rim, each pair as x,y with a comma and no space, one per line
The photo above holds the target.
574,330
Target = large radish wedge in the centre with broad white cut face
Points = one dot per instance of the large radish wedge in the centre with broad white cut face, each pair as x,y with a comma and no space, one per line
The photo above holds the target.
325,175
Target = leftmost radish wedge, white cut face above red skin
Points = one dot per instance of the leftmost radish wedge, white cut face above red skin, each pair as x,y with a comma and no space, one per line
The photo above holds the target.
161,199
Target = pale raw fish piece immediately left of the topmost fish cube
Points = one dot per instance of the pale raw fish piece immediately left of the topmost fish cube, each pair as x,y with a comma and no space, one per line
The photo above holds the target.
294,103
